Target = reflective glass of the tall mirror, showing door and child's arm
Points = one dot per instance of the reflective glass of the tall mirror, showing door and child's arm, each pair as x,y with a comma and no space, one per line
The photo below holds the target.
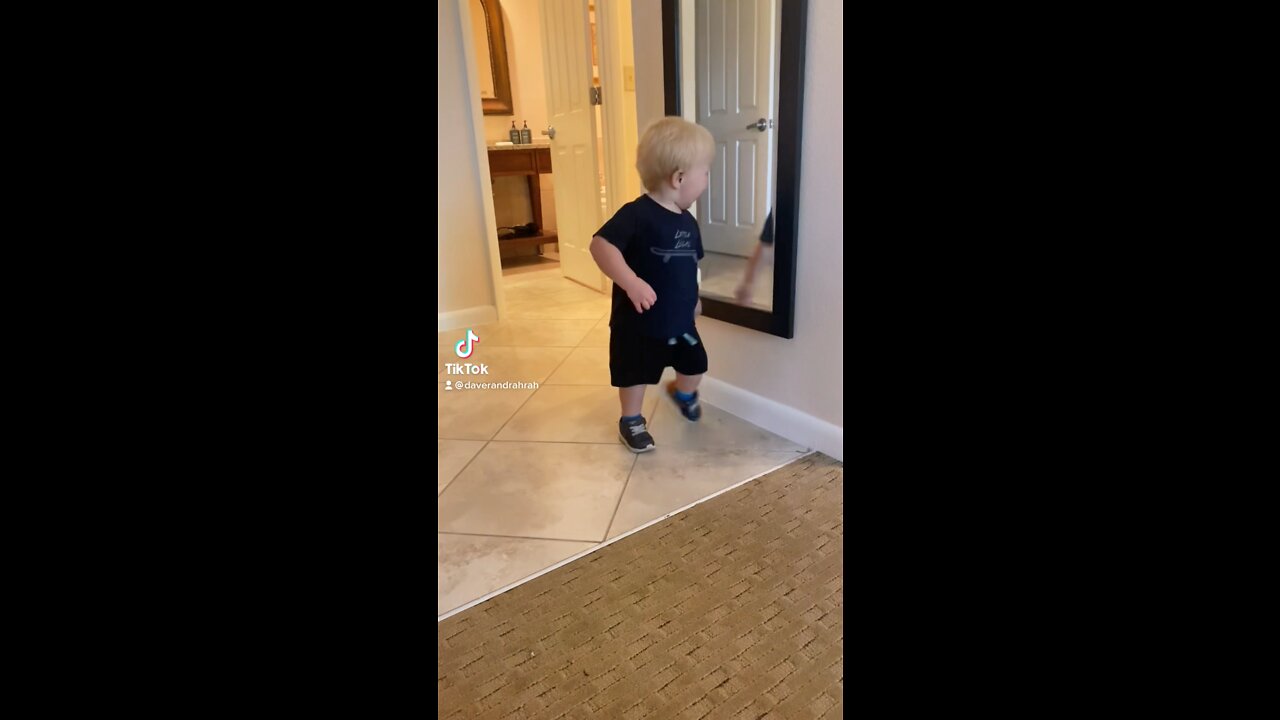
733,90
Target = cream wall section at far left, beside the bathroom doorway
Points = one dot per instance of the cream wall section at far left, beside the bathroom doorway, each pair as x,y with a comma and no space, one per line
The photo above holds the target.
468,280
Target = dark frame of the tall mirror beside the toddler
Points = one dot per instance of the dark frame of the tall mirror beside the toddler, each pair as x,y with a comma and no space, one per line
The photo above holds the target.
794,13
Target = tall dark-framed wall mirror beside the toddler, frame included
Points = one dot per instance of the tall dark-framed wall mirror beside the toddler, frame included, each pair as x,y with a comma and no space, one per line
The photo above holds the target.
737,67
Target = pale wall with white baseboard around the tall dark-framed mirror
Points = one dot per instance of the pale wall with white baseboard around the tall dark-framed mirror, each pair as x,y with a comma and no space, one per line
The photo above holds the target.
793,388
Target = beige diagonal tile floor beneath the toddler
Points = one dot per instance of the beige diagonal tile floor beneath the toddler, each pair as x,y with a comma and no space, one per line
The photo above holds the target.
531,477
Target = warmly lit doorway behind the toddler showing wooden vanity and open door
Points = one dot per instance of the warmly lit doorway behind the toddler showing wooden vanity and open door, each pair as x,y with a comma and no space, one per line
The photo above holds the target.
543,44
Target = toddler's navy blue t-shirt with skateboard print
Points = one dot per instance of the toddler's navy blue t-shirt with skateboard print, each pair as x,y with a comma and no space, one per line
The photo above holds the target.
664,249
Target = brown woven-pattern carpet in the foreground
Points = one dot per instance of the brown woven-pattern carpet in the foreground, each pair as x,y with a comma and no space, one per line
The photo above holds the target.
730,610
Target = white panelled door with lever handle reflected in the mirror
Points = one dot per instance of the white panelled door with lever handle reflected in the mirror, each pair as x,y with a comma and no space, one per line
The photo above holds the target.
735,51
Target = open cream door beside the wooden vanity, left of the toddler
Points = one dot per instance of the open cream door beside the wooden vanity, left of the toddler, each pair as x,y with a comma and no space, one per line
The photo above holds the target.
568,69
